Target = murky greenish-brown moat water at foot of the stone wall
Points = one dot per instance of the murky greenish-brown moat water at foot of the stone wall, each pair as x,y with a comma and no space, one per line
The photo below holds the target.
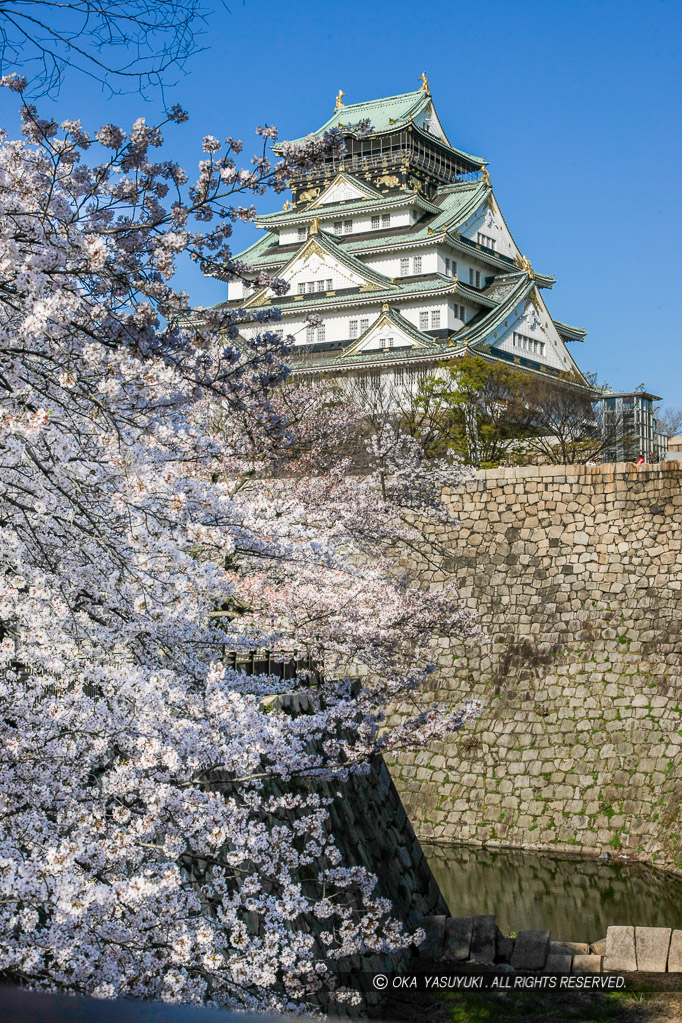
576,899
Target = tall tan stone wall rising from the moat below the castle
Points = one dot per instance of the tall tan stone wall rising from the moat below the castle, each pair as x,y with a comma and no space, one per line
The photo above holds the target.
577,575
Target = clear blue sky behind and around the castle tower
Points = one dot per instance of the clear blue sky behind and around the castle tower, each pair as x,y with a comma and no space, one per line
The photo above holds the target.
575,106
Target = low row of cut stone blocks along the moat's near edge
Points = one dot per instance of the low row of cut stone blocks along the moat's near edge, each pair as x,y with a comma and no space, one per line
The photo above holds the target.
477,942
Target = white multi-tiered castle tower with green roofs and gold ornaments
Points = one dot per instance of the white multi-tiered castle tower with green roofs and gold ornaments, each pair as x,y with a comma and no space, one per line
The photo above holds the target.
402,250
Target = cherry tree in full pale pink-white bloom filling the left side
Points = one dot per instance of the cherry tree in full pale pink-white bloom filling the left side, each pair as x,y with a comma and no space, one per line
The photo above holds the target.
162,833
